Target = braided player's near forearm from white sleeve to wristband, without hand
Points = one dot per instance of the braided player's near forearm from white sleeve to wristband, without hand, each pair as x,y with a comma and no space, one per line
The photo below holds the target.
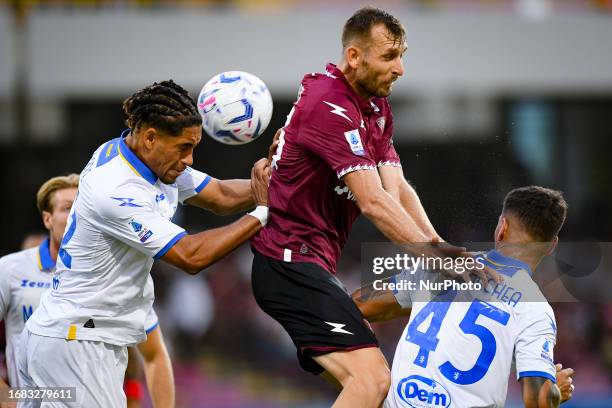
194,252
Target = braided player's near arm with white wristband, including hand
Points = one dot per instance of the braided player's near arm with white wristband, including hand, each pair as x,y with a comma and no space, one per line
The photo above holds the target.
192,253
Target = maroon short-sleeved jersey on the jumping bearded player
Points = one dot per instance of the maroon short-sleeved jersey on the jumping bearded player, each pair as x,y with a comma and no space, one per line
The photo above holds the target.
329,133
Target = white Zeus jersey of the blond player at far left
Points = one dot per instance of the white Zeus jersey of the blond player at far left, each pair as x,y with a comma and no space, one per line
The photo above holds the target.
24,277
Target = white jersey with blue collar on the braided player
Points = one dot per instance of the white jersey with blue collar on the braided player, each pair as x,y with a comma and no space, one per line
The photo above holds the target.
119,223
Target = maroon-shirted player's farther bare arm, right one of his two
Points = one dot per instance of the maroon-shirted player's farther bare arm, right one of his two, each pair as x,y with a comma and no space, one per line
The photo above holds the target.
397,186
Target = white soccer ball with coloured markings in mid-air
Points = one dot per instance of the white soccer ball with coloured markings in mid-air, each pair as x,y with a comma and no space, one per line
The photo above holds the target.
236,107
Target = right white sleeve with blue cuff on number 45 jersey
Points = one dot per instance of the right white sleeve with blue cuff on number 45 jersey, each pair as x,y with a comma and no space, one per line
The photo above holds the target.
535,344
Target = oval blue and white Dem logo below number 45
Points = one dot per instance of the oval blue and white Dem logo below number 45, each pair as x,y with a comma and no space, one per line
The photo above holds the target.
420,392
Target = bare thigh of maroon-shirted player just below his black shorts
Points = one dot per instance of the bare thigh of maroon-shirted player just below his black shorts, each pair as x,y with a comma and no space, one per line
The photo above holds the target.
368,364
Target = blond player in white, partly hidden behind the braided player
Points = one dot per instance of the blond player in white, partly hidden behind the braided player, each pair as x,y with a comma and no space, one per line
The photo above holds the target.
26,274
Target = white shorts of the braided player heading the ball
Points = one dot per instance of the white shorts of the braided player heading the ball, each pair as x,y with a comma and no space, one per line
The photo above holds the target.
95,368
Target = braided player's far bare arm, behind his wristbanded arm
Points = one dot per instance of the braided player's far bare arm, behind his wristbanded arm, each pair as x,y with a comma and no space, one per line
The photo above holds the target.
224,197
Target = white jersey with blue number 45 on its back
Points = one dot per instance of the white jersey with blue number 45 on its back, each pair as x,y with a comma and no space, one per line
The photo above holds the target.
458,350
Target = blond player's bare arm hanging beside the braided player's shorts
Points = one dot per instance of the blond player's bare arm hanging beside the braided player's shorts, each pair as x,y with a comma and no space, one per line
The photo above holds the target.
158,369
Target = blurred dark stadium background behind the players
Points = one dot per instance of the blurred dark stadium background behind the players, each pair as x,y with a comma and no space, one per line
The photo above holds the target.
497,94
